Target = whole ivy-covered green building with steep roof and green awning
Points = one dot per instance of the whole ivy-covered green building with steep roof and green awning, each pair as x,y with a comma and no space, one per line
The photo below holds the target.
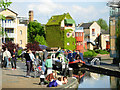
60,31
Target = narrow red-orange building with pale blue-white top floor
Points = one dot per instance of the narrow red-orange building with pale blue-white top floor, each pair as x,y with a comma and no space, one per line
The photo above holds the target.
79,36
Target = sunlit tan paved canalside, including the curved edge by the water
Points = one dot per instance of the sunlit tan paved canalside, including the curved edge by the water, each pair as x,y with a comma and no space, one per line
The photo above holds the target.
16,79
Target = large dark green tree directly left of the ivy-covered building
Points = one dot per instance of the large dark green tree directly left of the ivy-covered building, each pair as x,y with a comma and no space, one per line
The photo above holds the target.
35,29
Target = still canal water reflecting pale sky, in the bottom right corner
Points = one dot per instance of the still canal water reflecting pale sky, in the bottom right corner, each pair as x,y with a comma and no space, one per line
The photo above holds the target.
95,80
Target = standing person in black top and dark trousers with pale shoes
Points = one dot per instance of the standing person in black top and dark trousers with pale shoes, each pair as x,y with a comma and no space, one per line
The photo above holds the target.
28,61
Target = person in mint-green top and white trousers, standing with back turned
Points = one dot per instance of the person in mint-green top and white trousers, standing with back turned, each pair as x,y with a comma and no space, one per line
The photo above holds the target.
48,64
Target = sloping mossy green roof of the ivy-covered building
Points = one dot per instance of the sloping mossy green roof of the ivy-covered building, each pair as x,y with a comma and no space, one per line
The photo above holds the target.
56,20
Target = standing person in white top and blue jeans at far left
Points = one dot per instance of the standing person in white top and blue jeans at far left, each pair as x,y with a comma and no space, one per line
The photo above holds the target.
6,56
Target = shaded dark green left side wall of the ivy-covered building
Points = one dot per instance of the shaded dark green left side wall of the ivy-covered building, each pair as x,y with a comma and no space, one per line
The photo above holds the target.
54,36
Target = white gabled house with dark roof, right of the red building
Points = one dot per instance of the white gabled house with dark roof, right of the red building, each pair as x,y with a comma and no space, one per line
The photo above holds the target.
91,34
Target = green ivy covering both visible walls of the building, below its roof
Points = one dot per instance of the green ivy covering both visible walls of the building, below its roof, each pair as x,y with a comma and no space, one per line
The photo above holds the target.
57,38
